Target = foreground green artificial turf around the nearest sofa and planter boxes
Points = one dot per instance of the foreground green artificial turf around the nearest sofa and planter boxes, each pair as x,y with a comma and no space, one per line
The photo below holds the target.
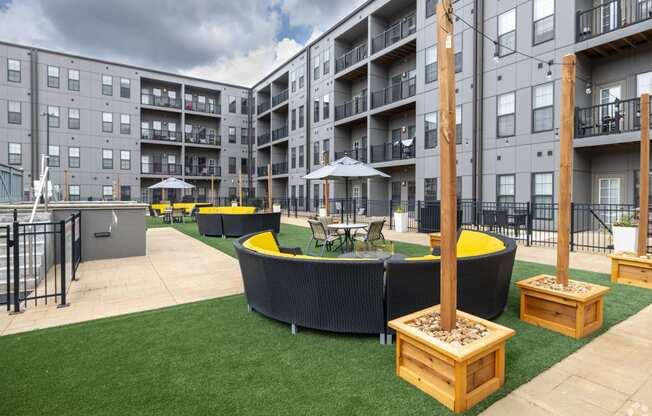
214,357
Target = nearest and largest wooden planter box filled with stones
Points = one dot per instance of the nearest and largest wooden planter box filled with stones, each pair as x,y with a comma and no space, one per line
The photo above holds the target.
458,377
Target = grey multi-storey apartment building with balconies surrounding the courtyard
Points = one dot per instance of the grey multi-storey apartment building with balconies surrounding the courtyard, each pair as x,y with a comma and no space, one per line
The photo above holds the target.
366,88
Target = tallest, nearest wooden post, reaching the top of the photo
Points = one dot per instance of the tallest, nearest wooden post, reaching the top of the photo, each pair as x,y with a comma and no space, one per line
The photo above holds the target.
446,76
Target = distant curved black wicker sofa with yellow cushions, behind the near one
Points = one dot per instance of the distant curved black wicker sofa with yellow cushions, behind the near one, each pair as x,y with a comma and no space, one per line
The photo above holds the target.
234,223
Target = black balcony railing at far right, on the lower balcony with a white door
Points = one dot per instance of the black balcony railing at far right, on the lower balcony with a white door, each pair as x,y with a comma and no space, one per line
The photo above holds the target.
611,118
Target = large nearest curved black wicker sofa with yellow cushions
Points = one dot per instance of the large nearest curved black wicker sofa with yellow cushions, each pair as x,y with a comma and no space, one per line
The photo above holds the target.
361,296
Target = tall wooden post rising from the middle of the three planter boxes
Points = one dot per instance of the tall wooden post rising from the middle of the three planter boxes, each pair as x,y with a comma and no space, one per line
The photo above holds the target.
565,166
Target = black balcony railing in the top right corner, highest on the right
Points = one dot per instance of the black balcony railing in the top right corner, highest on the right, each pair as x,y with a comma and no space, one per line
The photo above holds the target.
610,16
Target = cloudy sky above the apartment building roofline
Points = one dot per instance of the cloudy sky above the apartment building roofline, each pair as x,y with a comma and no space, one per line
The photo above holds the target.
236,41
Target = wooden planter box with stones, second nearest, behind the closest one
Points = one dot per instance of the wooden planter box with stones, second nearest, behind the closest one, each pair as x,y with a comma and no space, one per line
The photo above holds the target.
574,315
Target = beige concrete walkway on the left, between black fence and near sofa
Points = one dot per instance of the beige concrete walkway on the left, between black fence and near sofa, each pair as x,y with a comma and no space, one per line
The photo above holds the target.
177,269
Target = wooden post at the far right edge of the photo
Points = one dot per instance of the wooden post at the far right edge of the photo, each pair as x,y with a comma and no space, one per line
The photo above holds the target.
644,176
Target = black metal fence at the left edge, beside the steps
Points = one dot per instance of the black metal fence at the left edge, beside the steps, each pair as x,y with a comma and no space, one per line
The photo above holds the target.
40,261
